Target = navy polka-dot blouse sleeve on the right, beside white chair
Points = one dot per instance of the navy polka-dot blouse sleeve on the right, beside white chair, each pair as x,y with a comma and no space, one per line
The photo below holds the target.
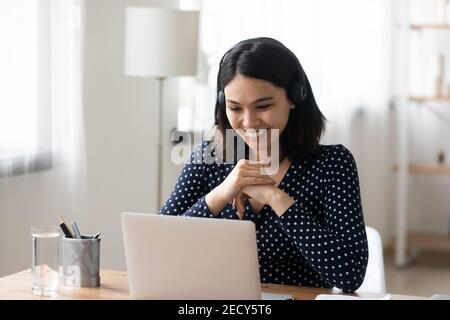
335,246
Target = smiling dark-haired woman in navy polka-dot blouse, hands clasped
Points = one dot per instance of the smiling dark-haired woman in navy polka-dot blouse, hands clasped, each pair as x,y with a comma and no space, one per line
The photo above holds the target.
308,215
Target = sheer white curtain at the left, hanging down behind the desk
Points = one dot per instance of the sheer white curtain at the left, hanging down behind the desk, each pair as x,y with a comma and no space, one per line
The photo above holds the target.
42,166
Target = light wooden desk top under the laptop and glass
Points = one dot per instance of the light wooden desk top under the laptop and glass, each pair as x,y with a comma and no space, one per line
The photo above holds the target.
114,286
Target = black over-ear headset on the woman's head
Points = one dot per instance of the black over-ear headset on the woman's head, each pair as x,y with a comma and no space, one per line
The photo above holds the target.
297,92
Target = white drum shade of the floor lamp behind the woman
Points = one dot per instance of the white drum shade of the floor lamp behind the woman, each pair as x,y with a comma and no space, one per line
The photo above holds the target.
160,42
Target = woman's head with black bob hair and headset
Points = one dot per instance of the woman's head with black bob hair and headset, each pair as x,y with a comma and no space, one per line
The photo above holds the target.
268,75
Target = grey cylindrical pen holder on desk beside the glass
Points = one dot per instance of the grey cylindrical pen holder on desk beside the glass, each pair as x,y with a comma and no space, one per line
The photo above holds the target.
81,262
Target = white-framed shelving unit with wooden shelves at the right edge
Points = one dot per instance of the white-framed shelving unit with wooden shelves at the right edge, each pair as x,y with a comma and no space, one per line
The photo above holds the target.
415,33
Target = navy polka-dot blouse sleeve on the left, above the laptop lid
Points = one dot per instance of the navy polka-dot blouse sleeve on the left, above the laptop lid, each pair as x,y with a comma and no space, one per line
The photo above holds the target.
188,196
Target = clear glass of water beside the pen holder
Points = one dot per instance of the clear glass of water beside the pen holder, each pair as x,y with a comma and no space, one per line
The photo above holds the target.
46,260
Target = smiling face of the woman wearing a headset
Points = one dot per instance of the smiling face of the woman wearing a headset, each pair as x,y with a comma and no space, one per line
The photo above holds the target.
256,104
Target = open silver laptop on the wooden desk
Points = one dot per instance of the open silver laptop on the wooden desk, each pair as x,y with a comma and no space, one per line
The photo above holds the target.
175,257
